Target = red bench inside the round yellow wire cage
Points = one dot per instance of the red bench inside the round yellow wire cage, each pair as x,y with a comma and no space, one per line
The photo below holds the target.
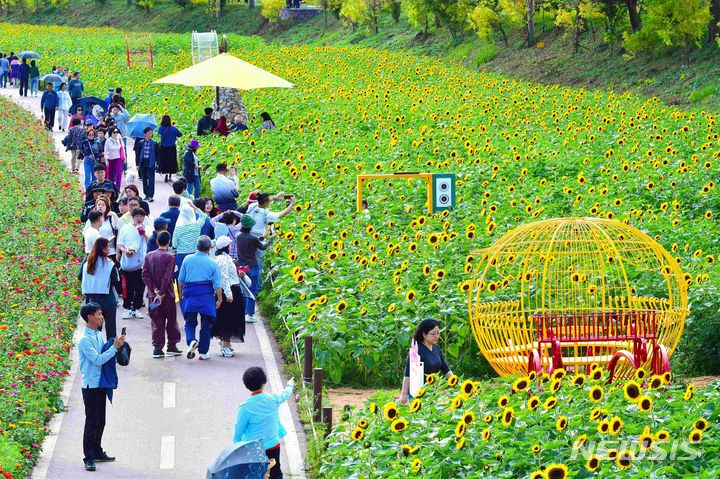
579,339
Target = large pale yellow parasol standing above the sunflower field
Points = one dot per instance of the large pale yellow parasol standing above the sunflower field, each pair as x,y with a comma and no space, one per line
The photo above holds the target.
226,71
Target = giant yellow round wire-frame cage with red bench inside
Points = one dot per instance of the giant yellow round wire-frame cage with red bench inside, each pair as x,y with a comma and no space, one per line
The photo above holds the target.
576,291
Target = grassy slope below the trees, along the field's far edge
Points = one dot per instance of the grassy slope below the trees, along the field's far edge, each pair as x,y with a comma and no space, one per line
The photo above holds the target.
598,65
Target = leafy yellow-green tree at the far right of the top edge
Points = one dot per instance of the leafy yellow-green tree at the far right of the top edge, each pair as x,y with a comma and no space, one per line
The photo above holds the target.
670,24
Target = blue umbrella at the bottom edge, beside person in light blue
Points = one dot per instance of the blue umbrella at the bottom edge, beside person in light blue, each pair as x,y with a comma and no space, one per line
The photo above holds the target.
244,460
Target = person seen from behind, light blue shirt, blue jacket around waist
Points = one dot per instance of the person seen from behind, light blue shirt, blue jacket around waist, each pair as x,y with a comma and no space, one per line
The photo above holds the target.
199,285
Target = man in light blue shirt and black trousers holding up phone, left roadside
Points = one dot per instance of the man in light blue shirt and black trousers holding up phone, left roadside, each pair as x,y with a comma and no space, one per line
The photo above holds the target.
92,359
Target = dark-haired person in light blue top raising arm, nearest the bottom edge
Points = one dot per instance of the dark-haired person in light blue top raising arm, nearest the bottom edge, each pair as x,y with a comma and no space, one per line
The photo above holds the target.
258,417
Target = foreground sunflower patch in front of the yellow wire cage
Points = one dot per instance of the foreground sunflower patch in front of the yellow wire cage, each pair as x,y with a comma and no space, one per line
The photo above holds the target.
546,427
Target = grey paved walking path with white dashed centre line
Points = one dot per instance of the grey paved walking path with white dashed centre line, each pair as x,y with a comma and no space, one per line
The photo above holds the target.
170,417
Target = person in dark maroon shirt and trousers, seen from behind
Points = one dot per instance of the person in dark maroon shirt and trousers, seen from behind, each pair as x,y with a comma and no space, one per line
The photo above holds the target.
157,273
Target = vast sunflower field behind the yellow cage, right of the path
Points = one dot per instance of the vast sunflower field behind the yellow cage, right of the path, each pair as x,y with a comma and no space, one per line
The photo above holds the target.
359,282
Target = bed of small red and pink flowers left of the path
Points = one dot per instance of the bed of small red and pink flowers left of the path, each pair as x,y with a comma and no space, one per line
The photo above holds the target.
38,266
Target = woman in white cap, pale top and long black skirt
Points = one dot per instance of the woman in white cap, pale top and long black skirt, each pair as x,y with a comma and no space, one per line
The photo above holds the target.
230,321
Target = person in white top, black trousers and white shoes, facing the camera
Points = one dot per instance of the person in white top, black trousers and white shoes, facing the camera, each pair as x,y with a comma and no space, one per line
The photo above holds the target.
132,244
